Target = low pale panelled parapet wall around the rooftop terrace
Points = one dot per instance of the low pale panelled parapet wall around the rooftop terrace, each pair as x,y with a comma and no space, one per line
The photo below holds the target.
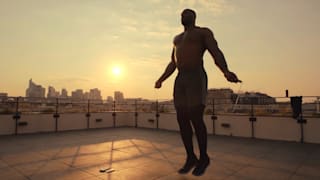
268,127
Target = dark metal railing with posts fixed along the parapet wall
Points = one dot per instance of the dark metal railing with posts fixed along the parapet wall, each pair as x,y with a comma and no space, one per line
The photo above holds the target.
252,107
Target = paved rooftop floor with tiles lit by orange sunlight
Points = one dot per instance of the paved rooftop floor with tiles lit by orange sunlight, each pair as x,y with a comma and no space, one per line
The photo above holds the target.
149,154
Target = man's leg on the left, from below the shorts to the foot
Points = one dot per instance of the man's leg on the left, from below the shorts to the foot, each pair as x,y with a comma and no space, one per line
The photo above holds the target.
186,135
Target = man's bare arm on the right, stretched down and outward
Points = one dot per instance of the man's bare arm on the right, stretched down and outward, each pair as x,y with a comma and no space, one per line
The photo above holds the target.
218,56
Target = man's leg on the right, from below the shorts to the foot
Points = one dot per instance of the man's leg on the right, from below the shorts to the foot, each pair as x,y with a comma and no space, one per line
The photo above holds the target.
201,133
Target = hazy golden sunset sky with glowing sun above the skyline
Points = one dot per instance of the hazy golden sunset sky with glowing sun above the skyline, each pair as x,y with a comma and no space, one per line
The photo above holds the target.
77,44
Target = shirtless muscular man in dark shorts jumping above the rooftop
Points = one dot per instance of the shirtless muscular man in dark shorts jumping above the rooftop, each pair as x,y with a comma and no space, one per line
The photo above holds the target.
190,86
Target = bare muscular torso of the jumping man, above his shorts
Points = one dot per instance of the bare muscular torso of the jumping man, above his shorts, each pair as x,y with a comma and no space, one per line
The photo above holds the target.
189,47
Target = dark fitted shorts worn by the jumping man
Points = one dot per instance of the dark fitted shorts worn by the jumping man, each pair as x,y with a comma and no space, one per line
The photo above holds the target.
190,88
